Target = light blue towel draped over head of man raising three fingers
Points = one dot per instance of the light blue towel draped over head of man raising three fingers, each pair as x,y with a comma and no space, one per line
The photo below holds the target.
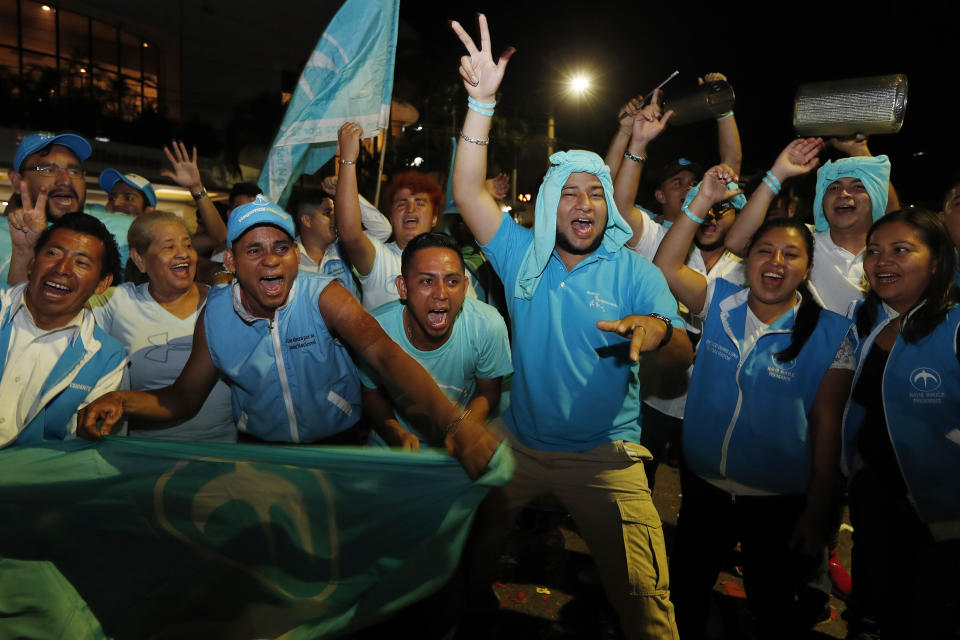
563,163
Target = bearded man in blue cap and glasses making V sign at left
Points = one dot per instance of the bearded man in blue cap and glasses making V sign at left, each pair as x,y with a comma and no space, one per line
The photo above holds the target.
48,182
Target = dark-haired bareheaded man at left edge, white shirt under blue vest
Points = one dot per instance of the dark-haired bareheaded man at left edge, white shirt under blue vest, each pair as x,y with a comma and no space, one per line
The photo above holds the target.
55,359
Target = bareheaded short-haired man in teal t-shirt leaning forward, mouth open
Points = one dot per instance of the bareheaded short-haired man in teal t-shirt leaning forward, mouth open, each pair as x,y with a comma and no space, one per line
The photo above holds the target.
460,341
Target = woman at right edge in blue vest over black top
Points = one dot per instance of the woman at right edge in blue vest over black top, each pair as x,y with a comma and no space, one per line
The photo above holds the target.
901,443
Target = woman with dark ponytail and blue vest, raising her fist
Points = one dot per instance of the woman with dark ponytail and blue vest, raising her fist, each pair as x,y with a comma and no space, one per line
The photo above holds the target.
761,430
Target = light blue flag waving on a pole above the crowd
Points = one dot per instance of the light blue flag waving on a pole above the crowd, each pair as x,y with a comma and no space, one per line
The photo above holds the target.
348,78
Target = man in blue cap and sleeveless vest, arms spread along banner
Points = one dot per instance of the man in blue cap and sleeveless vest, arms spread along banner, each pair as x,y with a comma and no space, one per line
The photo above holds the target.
275,337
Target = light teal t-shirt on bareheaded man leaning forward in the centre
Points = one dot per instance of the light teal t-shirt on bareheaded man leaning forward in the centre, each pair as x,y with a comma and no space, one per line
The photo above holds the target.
478,349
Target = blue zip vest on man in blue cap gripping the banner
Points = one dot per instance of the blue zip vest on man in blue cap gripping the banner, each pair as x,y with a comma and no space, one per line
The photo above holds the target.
290,381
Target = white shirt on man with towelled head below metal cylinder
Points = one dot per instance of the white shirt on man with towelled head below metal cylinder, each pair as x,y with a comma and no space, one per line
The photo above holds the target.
837,275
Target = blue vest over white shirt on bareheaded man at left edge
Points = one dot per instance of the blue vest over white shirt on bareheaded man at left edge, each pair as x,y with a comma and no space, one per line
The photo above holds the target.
70,381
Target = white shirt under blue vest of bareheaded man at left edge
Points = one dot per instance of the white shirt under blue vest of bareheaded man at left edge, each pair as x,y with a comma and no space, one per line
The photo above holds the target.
31,356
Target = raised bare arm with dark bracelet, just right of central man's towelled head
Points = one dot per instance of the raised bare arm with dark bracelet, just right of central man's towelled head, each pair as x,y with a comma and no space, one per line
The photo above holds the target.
648,123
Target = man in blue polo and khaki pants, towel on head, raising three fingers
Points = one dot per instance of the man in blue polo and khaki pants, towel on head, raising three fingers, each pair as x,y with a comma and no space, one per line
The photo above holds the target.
582,309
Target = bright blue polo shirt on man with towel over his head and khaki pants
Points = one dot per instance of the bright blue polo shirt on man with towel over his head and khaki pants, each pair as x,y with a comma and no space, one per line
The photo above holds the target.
574,386
